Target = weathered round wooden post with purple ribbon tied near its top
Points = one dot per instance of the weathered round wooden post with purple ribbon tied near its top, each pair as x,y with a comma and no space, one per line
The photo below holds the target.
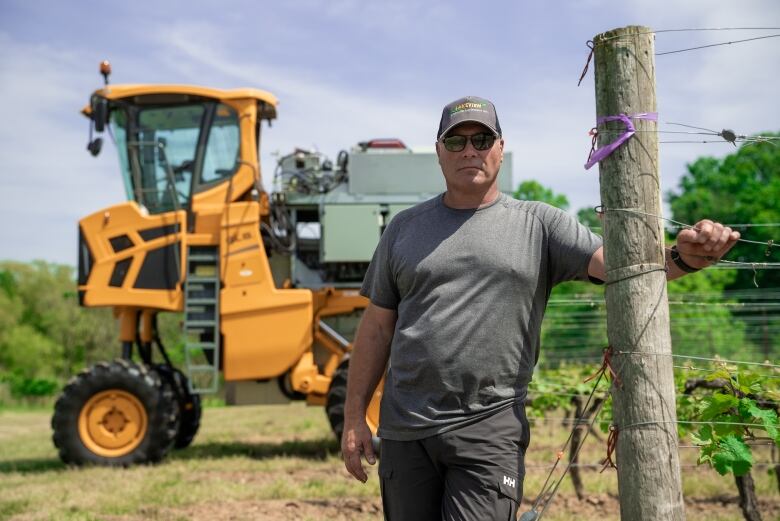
637,309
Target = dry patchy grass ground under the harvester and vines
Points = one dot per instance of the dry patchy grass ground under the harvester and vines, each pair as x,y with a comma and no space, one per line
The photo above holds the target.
281,462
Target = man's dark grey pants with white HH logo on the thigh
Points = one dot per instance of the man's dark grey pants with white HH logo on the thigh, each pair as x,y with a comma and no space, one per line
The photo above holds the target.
474,473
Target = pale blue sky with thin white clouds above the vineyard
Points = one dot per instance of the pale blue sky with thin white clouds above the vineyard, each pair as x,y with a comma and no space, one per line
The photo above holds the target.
348,70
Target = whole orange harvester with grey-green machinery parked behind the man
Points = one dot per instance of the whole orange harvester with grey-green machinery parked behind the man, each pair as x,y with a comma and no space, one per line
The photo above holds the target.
266,284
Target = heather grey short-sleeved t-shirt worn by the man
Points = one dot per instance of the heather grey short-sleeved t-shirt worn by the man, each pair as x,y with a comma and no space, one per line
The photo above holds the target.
470,288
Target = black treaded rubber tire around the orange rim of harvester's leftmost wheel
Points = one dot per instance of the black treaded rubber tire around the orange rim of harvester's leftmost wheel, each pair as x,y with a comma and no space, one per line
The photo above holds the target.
156,396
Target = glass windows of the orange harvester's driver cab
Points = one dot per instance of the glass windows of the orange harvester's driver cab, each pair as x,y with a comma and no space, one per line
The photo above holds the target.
168,153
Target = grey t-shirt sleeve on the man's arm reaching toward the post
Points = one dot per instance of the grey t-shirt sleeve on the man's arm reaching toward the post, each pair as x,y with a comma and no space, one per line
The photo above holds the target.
571,246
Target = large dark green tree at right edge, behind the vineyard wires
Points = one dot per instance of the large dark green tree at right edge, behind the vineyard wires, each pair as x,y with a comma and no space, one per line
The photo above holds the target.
744,189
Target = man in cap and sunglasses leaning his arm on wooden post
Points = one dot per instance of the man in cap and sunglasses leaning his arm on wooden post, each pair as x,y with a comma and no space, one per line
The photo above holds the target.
458,287
